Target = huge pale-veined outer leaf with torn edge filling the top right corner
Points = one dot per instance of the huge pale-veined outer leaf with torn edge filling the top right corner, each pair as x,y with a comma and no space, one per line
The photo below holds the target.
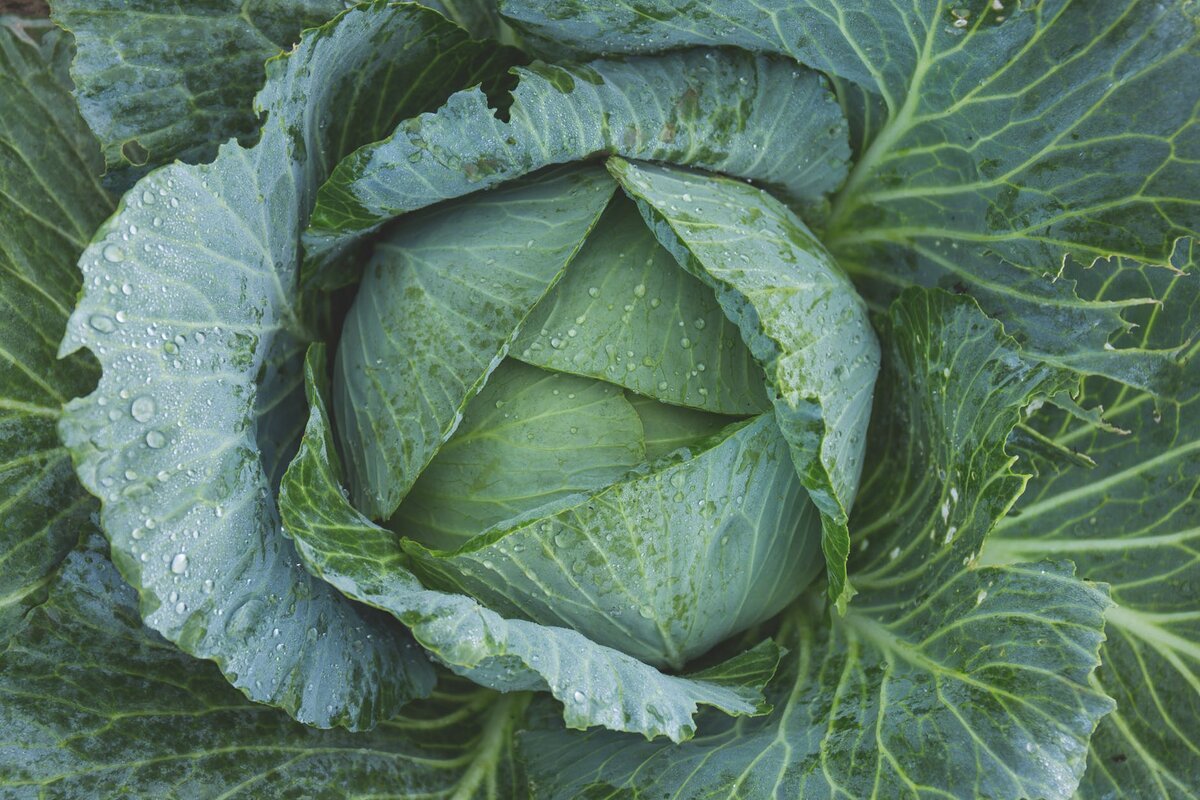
1017,134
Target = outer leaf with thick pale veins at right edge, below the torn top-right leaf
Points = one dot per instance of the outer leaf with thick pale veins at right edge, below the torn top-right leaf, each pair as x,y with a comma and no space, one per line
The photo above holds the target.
1132,521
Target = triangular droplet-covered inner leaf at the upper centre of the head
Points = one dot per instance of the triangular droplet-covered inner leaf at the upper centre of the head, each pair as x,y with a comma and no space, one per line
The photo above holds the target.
627,314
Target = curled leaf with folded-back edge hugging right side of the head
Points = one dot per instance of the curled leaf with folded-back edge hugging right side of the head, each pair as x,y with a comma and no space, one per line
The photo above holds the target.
799,315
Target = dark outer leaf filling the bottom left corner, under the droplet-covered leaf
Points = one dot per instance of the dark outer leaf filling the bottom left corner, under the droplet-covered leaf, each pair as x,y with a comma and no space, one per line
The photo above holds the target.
95,706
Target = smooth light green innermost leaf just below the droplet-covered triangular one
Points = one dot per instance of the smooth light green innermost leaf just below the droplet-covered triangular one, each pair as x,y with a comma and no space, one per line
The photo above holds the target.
530,438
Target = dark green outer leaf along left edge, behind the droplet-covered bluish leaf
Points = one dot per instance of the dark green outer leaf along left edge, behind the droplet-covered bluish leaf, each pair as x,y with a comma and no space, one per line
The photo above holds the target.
50,204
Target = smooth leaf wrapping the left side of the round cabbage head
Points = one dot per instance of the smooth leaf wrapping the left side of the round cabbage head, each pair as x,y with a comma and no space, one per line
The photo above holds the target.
442,300
